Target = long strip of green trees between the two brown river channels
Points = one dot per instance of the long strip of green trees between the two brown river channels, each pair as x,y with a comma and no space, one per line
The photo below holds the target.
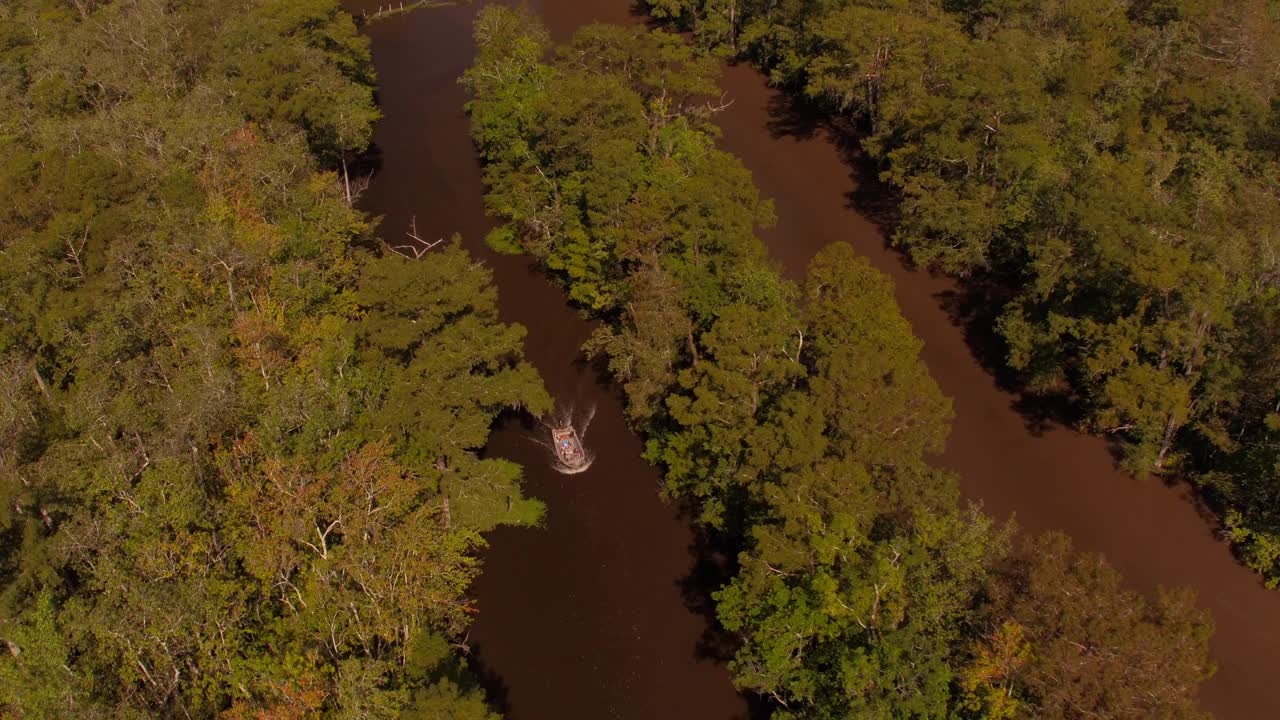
796,418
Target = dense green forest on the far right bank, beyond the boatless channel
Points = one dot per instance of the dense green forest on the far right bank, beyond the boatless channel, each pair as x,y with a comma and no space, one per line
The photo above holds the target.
1114,166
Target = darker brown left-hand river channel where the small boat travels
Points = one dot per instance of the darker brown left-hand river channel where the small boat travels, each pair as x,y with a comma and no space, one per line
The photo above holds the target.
597,614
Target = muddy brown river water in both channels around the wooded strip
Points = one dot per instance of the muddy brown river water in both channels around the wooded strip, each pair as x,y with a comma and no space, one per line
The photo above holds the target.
601,613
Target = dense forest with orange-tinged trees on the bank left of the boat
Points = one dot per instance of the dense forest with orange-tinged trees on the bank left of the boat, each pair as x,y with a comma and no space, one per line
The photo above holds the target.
223,493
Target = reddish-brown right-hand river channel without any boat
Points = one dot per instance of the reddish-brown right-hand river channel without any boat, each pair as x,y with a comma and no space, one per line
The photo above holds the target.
1014,463
